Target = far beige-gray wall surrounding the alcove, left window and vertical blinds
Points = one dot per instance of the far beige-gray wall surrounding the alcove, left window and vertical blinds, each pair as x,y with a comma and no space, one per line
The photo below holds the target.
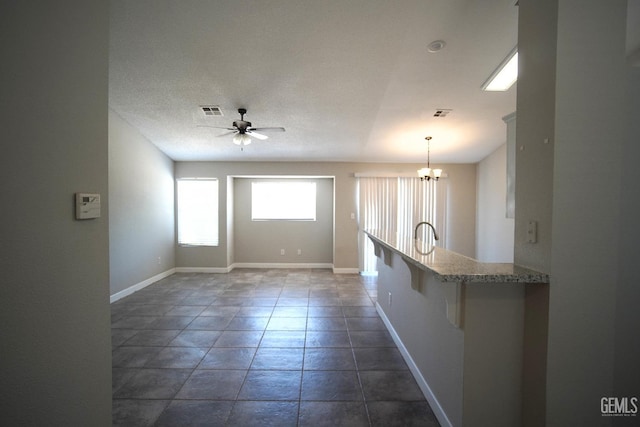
461,206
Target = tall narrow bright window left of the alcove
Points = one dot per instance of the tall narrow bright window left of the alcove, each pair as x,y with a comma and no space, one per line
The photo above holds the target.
197,212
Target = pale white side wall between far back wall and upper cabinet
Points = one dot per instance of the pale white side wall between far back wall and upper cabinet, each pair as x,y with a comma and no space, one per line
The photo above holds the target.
494,231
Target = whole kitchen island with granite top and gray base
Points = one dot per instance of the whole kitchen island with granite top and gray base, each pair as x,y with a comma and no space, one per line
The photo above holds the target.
473,334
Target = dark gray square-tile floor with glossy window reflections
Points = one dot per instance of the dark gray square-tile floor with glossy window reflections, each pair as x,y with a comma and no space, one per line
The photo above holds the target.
259,348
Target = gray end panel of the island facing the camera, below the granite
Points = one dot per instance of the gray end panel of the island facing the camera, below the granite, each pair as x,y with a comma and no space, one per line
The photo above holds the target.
493,354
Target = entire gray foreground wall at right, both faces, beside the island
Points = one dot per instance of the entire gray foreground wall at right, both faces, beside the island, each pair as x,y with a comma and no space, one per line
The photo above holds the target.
589,243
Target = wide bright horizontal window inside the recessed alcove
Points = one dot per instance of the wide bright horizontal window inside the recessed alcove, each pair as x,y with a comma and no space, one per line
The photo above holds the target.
283,200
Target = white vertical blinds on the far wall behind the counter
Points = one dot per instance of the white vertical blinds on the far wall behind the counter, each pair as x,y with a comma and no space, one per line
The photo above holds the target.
398,204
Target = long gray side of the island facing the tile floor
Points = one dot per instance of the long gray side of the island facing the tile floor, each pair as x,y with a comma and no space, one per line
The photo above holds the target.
435,346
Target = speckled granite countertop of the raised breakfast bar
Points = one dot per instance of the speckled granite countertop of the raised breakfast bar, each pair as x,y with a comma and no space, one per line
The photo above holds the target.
449,266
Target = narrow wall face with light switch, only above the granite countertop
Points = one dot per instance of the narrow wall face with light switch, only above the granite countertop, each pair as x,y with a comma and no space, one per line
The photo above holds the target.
536,118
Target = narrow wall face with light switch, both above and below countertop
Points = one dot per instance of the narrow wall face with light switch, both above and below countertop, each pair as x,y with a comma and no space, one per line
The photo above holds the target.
534,183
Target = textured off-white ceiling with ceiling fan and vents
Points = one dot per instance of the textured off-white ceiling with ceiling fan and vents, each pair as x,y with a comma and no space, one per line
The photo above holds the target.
350,80
